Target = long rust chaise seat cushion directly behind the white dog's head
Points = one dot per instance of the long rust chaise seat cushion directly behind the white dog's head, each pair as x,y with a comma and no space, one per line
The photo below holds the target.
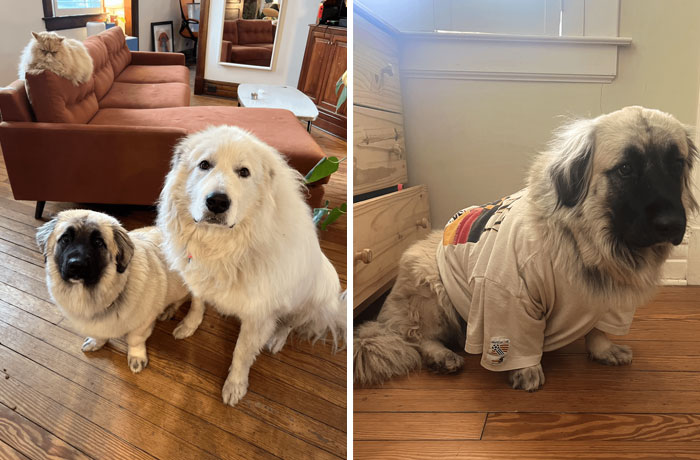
277,127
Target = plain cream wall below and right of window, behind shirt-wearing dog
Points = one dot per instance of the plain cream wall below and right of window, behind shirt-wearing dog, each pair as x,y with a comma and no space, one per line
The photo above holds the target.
472,141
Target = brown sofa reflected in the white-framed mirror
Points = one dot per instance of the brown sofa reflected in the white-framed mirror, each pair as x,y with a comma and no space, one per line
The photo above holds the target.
249,32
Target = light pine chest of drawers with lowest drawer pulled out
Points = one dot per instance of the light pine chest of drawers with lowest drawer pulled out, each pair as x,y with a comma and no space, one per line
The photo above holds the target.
384,226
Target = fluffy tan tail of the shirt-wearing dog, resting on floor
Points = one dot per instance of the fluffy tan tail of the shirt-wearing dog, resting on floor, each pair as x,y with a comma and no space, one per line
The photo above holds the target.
380,353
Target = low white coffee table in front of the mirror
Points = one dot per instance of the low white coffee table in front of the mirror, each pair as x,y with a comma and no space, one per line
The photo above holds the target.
278,97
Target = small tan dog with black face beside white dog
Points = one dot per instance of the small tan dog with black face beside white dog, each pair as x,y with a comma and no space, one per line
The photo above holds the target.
111,283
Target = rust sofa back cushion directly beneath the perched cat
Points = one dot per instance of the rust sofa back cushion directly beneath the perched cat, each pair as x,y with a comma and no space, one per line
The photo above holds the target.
56,100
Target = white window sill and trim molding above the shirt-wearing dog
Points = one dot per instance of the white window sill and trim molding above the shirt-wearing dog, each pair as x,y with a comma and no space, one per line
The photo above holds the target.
479,56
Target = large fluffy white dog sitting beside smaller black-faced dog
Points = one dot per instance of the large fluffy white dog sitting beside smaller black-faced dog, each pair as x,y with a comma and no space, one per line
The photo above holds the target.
237,228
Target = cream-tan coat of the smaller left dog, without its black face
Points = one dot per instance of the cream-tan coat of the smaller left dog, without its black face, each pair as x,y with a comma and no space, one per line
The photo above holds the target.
121,304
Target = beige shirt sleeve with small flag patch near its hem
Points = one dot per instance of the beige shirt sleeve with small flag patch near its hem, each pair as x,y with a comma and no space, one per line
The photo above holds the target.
513,327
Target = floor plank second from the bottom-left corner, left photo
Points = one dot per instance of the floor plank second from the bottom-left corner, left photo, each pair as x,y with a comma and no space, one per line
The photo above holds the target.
90,438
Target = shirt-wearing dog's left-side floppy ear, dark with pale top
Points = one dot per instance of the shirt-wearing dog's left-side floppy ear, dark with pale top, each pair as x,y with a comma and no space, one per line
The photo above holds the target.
571,168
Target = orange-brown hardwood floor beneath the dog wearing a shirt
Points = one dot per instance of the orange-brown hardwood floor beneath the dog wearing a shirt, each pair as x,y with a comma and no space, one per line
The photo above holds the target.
650,409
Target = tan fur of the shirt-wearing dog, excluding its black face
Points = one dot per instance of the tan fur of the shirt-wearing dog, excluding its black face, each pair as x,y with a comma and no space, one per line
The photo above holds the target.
418,317
